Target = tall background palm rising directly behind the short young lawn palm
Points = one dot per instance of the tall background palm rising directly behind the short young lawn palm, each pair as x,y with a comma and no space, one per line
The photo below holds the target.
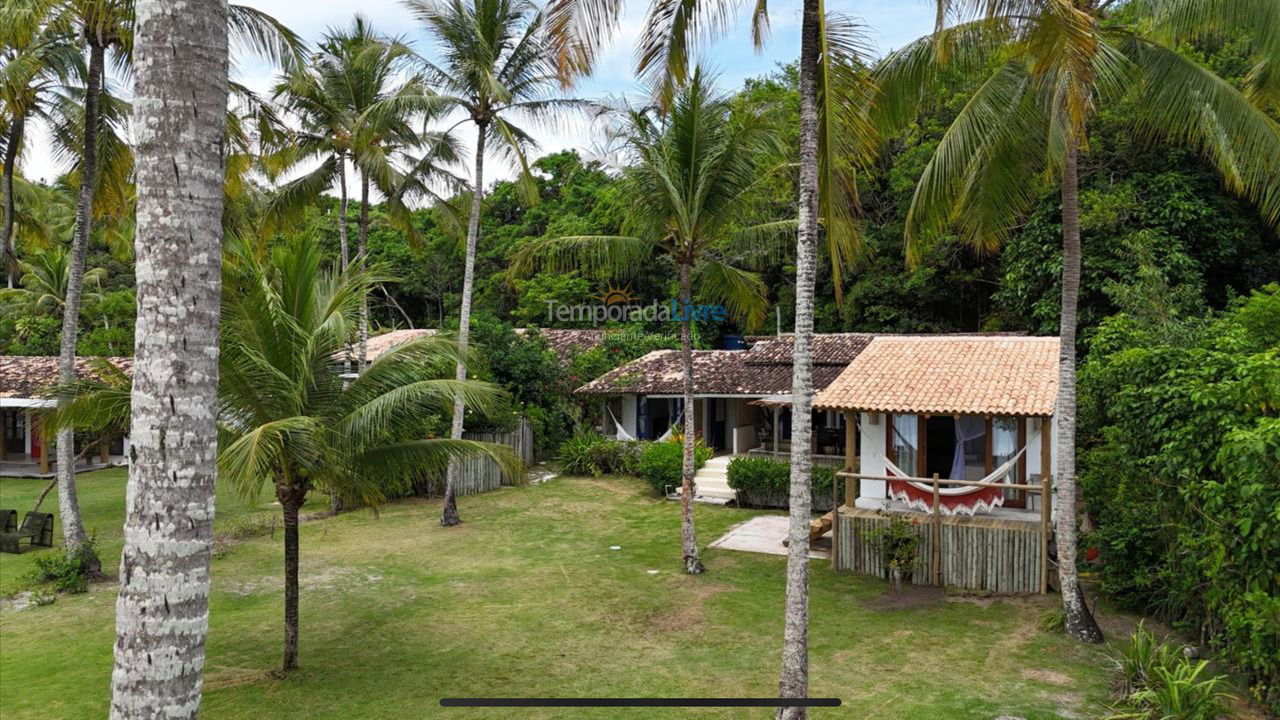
351,103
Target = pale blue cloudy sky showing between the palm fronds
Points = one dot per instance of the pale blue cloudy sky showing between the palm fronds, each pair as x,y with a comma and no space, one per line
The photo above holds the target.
889,24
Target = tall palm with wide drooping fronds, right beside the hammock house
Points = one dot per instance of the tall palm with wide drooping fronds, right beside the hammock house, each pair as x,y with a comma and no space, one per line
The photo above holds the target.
1048,66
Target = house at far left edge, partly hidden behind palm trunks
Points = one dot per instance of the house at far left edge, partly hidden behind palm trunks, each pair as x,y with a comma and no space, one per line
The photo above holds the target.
25,450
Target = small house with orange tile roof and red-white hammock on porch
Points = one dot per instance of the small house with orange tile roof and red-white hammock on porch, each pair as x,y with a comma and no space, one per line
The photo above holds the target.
957,438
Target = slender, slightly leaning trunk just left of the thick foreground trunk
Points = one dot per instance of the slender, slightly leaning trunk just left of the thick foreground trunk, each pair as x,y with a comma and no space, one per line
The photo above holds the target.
74,528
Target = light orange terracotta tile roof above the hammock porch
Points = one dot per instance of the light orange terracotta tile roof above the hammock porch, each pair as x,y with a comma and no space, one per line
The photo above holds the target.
949,375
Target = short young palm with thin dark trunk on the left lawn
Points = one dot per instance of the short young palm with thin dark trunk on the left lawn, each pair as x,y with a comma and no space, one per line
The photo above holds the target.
287,416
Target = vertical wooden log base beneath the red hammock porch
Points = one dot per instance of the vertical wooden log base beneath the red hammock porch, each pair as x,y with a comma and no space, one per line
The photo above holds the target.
981,553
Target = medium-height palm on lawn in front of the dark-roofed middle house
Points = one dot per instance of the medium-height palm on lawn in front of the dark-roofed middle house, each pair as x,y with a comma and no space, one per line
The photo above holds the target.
687,195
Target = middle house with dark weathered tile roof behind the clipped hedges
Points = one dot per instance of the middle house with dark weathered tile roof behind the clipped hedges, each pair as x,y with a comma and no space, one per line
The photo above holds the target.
742,398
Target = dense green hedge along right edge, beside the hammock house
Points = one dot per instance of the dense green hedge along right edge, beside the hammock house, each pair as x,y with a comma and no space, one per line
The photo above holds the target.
1182,450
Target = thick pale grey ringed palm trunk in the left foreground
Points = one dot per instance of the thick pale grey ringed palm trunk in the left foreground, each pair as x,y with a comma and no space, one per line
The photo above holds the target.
162,614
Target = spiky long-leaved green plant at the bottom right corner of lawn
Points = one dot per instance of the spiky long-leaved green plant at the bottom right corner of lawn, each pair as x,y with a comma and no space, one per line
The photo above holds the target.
1158,682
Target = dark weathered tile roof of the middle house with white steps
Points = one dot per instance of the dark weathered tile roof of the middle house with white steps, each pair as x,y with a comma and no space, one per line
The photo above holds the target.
765,370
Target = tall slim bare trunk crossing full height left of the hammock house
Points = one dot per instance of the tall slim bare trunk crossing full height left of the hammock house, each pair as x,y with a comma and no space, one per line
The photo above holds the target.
794,677
